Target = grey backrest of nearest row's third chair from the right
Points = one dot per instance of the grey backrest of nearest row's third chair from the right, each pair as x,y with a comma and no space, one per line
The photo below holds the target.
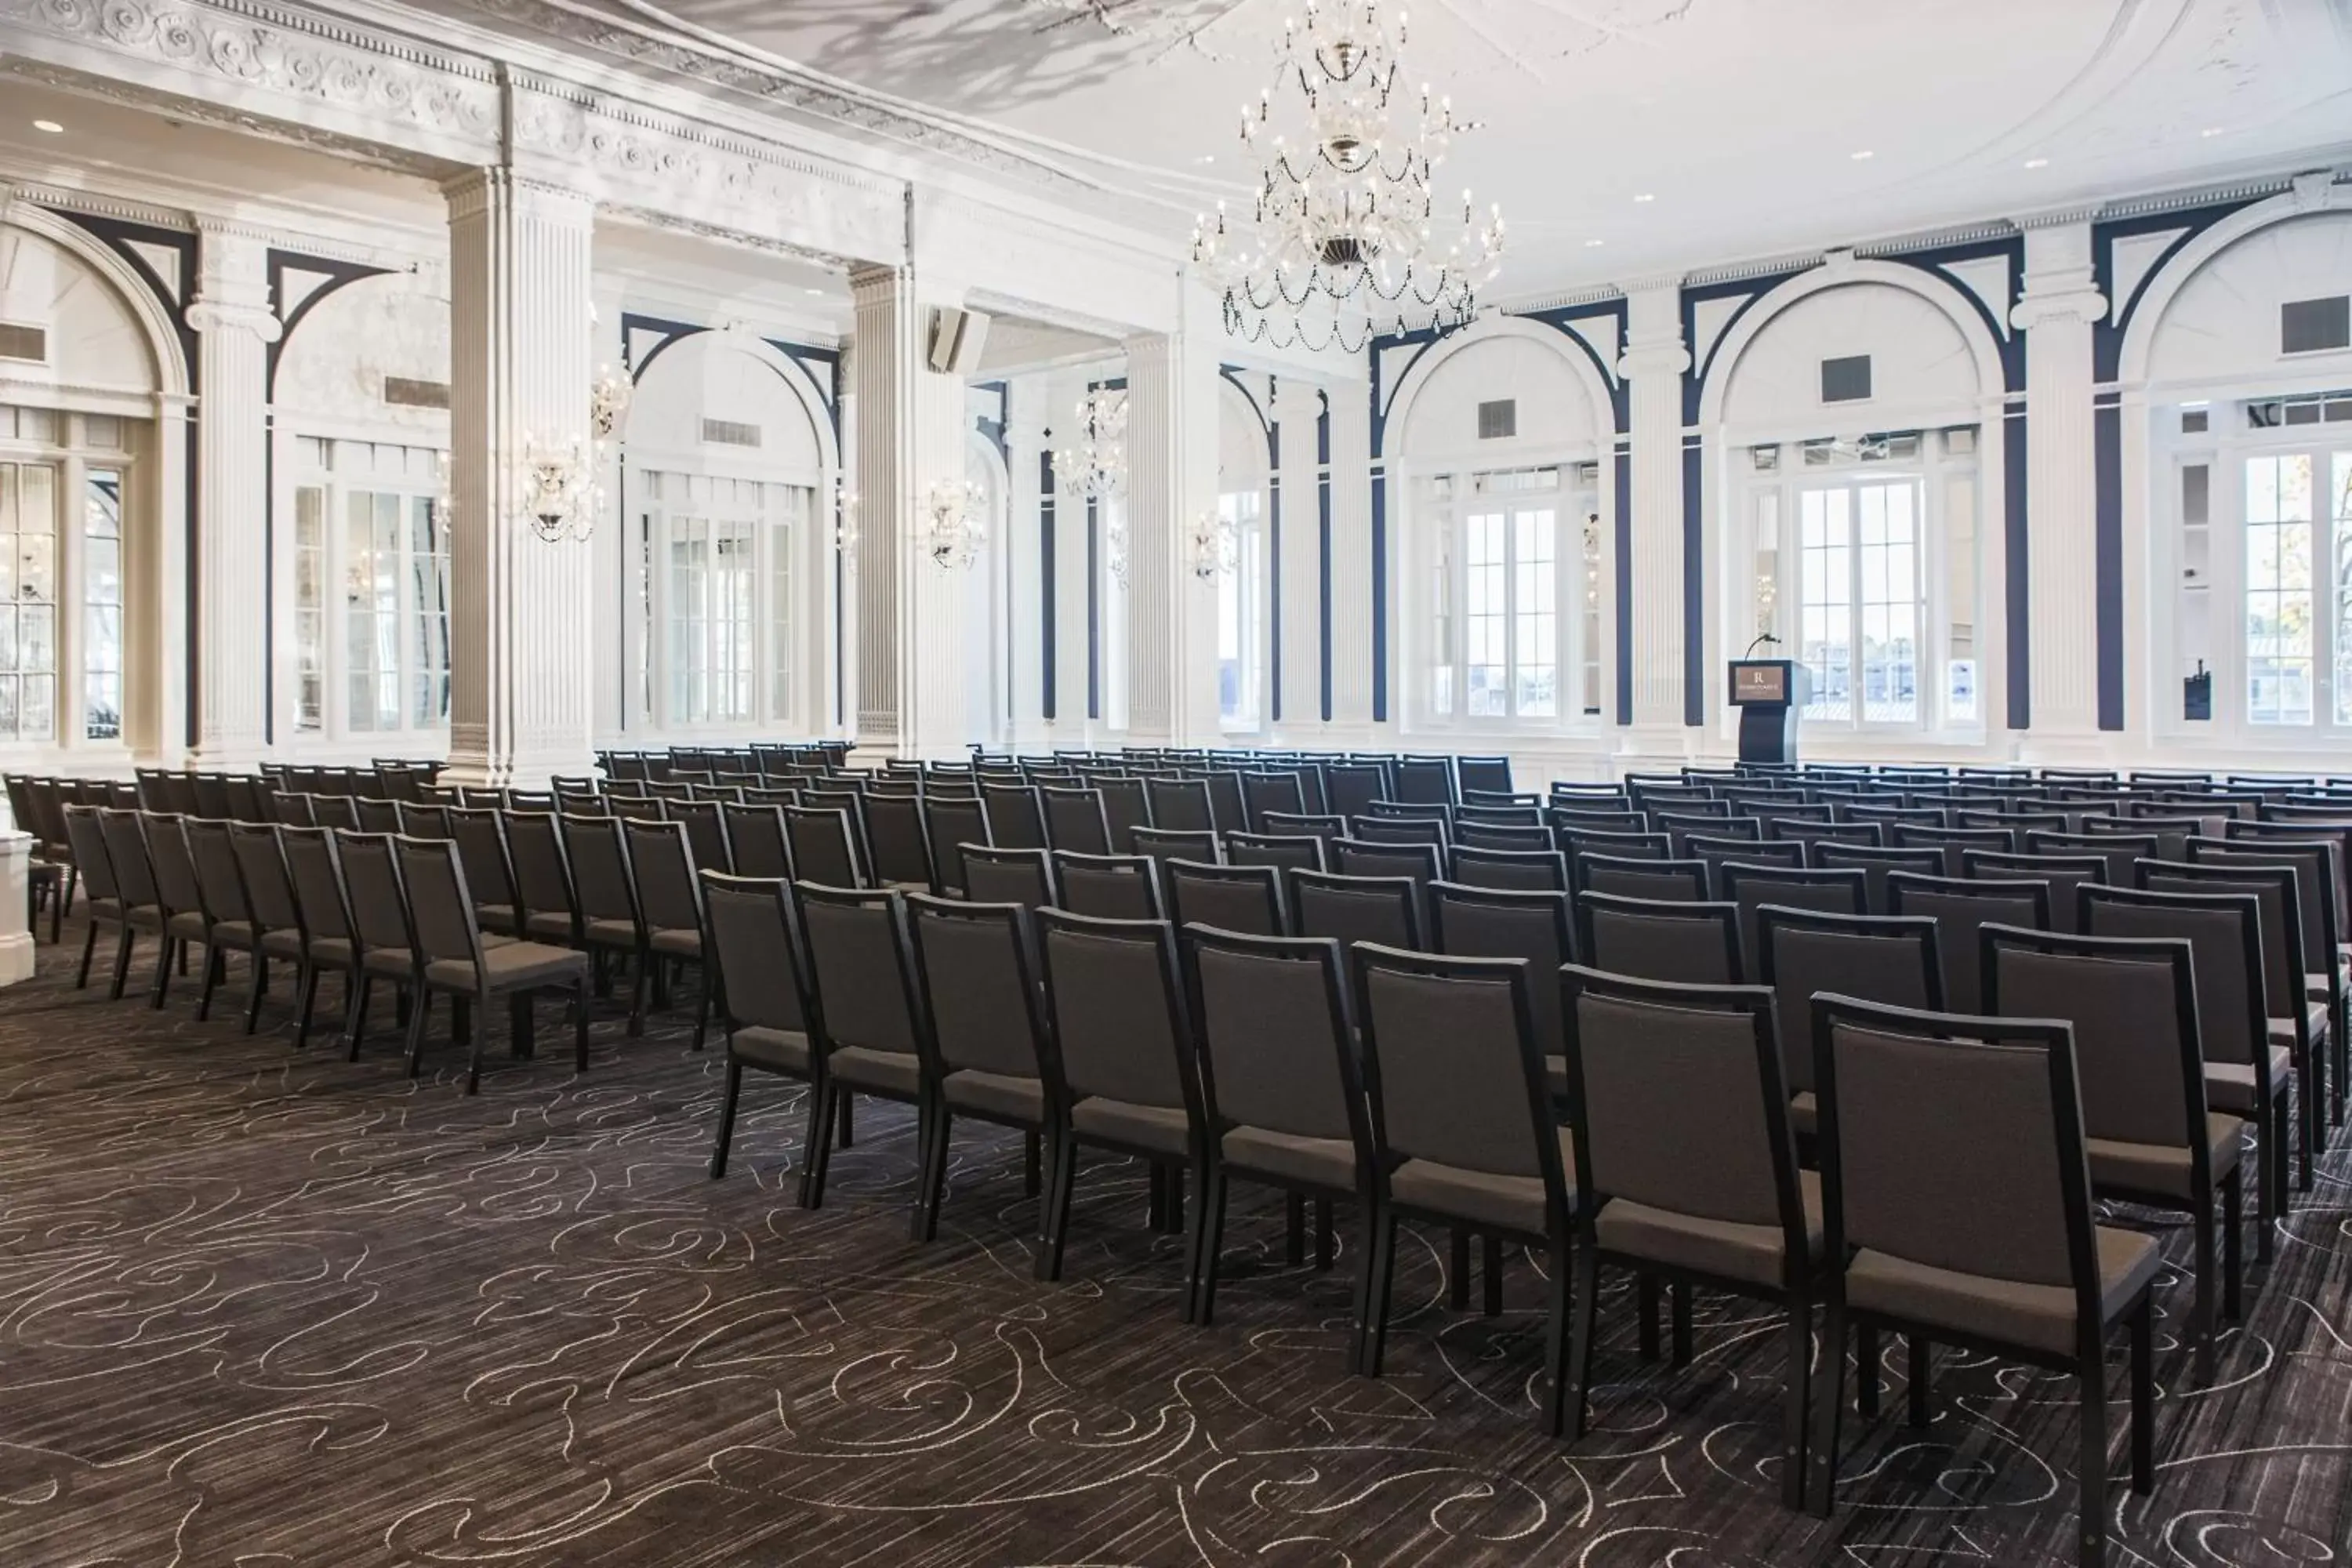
1455,1071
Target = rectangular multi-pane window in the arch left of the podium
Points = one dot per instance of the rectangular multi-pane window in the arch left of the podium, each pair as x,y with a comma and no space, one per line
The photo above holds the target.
1504,619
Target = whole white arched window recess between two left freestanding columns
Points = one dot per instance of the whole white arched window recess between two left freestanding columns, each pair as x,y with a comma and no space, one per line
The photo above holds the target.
723,476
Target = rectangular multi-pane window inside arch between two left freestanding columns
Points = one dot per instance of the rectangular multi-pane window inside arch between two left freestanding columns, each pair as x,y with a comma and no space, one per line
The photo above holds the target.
721,596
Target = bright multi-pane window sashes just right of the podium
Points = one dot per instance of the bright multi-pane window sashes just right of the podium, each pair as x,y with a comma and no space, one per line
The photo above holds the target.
1859,610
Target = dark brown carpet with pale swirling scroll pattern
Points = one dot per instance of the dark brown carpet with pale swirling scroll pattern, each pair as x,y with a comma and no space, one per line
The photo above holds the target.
265,1308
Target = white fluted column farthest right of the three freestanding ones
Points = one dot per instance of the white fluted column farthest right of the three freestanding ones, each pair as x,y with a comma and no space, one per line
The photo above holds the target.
1170,488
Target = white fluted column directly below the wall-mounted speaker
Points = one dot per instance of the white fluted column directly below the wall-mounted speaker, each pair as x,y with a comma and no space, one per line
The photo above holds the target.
909,441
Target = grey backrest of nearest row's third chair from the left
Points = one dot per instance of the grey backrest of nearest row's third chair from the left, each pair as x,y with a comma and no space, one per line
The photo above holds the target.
980,981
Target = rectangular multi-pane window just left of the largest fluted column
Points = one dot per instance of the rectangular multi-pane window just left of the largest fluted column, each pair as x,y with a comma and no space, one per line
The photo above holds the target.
370,589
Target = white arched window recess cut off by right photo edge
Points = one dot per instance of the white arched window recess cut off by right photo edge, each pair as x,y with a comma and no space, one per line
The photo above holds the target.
2252,448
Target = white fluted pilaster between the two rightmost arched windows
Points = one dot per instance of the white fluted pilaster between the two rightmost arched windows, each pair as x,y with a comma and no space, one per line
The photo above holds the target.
2057,311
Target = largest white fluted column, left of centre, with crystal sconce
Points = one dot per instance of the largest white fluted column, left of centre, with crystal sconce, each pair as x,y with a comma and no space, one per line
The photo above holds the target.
521,652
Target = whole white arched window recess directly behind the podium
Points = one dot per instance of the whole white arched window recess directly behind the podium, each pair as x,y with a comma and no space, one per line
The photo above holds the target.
1852,460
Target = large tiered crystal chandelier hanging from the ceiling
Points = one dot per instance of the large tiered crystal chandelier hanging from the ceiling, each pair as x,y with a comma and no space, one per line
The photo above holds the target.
1342,243
